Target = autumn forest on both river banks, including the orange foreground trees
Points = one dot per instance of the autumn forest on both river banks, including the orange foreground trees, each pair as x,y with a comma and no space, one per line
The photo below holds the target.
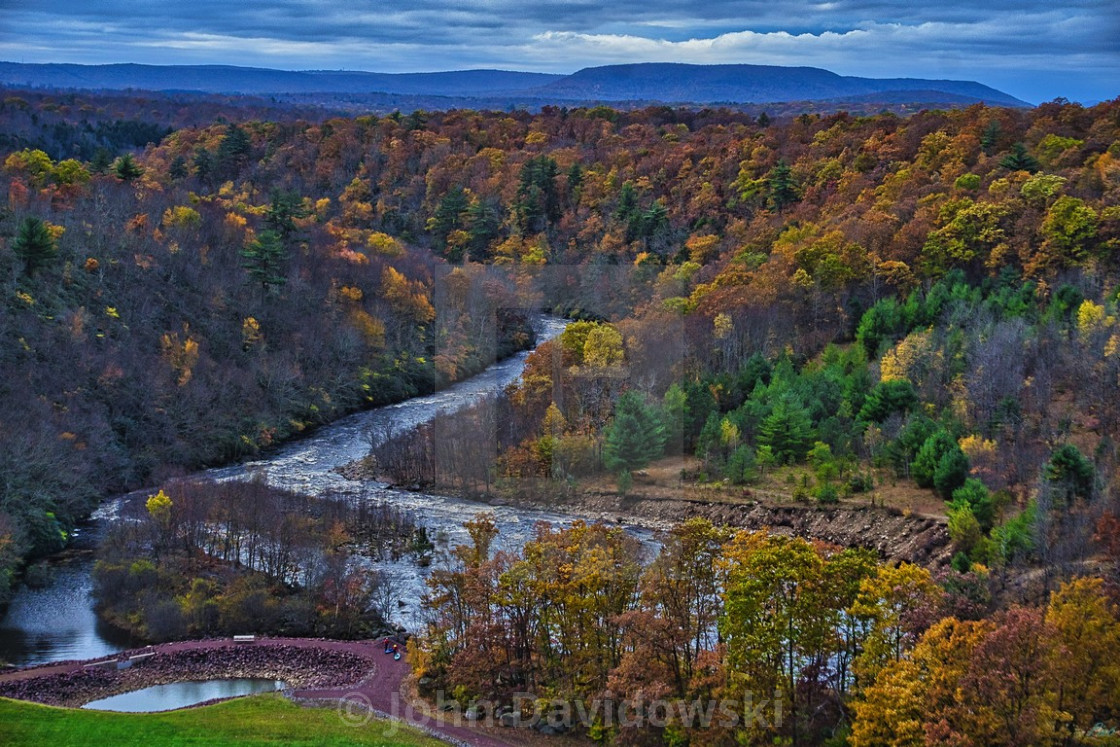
827,298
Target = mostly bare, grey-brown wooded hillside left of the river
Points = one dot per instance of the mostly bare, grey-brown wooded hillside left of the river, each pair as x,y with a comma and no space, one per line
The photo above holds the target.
148,329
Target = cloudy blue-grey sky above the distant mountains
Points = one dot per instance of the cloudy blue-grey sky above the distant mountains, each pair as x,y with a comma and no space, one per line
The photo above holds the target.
1034,50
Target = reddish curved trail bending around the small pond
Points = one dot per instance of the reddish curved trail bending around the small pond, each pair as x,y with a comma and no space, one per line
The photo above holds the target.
381,690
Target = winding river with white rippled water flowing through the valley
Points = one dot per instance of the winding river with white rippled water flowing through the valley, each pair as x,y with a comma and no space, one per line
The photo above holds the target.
59,623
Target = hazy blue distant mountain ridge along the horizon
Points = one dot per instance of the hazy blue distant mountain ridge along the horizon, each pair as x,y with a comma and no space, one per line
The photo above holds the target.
654,82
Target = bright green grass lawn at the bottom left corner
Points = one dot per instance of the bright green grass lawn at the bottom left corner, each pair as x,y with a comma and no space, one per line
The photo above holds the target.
254,721
